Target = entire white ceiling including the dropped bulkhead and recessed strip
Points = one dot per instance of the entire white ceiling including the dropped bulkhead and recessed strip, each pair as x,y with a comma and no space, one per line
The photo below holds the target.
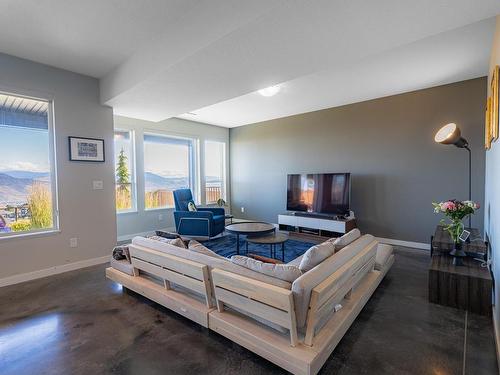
163,58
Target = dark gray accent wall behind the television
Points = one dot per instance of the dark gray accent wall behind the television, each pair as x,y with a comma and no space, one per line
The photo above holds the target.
387,144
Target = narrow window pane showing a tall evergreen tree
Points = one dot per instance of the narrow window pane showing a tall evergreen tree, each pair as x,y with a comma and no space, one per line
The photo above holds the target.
124,171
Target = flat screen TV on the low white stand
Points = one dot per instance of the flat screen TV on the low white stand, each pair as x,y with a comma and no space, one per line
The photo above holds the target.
320,193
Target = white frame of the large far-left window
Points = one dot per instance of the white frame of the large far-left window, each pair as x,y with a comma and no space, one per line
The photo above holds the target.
52,149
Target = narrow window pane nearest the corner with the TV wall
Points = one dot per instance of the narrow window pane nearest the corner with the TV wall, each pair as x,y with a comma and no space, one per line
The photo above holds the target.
215,171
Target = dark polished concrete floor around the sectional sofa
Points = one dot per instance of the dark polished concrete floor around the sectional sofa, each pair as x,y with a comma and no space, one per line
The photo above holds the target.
81,323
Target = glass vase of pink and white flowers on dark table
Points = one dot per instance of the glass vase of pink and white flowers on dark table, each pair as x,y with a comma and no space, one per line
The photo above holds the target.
455,211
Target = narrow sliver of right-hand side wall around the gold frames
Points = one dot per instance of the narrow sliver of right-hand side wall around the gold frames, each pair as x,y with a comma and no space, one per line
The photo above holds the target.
492,189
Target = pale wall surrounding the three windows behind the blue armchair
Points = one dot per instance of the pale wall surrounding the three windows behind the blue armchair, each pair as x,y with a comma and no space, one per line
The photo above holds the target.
142,221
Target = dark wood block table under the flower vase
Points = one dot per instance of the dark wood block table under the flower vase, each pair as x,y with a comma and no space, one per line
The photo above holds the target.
466,287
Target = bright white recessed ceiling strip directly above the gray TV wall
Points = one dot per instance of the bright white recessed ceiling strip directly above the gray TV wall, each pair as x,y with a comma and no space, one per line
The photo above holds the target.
448,57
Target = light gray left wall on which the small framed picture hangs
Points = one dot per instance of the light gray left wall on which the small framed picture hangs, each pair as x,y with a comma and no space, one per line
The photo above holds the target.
86,214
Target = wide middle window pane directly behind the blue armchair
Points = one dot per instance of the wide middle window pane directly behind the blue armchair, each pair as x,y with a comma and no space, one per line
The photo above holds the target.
168,165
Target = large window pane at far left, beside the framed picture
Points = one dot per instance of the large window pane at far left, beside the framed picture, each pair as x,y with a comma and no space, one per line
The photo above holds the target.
27,182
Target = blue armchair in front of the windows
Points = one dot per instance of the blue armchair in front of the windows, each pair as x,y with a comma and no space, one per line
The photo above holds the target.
205,222
